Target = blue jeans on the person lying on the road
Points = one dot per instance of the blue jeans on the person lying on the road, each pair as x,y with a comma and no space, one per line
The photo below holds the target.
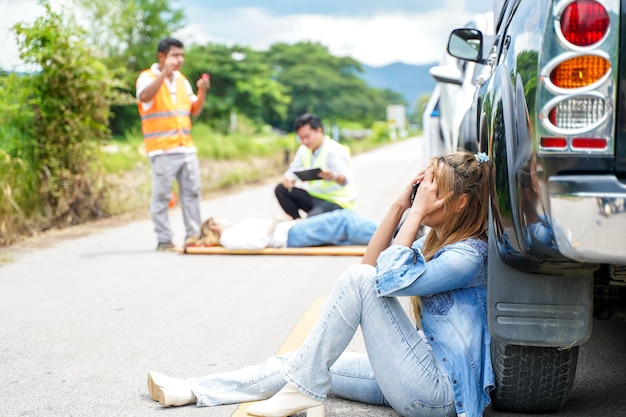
338,227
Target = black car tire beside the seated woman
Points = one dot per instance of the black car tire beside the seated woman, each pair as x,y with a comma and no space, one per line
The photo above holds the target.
531,379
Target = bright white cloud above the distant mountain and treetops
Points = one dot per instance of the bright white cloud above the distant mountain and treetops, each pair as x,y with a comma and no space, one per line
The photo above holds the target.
377,40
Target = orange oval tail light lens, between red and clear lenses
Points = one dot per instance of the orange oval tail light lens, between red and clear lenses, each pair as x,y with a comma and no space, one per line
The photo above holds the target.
580,71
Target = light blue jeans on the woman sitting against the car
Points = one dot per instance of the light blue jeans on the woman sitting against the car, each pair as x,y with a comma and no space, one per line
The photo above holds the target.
399,369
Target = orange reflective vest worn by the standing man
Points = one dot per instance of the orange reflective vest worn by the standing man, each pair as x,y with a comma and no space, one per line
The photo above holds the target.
166,124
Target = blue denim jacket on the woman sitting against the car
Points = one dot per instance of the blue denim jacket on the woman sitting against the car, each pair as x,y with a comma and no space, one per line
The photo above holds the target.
453,289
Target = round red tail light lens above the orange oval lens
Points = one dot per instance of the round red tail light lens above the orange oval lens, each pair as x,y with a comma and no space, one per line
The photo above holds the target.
584,22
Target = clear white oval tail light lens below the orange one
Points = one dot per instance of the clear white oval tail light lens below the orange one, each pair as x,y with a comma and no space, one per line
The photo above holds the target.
577,112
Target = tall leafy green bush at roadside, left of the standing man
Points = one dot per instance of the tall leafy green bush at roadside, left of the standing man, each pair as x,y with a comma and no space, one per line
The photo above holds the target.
71,98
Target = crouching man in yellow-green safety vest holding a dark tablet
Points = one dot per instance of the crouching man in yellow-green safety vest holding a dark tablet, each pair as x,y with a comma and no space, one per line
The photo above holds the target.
335,188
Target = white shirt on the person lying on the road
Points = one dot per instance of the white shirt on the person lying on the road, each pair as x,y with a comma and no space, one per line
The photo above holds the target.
254,234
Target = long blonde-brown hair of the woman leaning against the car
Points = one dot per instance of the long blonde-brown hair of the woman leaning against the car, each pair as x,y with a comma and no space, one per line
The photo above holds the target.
462,173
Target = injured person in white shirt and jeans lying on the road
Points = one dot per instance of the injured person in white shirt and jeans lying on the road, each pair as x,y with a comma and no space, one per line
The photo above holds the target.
338,227
